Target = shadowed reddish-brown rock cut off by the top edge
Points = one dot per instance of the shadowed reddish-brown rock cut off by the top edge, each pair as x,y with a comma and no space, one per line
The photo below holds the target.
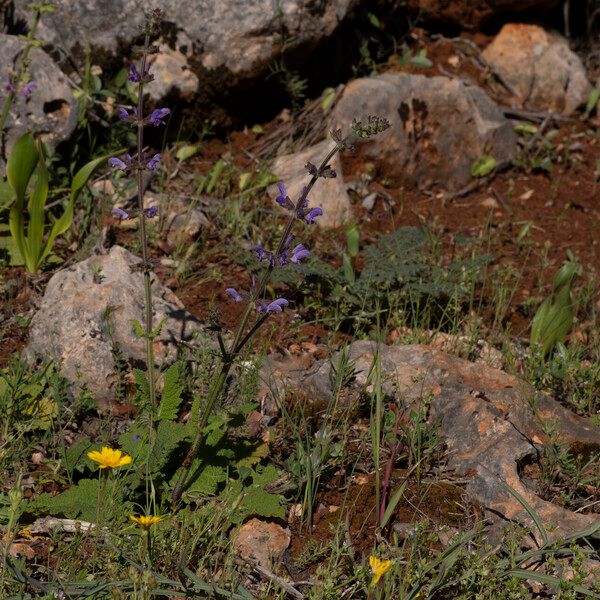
471,14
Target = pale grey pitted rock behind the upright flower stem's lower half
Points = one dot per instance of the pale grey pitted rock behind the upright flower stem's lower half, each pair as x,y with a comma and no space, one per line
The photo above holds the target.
87,314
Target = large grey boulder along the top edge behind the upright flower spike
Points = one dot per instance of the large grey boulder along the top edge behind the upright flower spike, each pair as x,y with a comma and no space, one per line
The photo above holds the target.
226,40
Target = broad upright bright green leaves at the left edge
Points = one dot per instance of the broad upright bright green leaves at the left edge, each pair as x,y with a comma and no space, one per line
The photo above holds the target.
31,234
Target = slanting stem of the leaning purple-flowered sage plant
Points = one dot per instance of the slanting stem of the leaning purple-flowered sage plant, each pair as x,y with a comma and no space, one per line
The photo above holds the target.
240,340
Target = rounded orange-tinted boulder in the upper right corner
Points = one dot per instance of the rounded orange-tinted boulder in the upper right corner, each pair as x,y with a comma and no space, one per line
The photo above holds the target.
540,66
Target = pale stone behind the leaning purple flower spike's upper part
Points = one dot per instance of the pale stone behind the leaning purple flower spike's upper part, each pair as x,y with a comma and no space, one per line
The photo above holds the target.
330,194
